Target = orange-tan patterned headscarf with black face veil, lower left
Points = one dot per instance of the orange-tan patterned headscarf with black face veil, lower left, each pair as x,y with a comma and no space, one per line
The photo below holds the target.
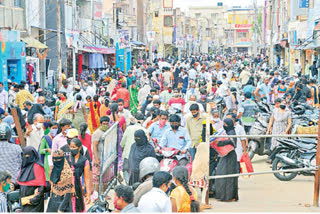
61,175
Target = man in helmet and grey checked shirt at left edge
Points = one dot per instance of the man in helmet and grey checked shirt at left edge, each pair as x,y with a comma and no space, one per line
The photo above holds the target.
10,154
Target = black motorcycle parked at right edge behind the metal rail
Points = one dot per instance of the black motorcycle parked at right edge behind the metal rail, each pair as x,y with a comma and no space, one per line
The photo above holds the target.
292,154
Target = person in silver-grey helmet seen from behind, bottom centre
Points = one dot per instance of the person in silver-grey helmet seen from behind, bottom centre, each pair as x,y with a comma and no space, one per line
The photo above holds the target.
147,168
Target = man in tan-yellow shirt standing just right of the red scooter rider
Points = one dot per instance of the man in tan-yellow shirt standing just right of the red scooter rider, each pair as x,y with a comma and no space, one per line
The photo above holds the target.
195,126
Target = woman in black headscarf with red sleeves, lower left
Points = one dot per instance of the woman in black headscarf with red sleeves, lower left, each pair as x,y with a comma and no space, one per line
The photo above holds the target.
31,181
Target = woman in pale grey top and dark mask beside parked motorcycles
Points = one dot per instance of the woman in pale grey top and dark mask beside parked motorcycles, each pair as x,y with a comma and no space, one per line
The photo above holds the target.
280,123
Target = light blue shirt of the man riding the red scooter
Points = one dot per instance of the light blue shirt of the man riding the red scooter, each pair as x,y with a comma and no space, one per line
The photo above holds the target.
179,140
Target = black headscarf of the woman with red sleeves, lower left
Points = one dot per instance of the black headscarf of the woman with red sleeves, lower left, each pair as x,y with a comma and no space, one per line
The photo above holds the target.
27,171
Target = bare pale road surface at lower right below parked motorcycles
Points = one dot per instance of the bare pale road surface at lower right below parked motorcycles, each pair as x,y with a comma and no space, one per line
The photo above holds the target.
265,193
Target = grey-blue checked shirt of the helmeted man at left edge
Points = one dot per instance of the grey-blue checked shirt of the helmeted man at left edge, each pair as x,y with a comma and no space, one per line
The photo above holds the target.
10,158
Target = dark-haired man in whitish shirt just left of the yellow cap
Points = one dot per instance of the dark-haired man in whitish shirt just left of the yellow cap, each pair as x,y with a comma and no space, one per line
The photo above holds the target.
61,139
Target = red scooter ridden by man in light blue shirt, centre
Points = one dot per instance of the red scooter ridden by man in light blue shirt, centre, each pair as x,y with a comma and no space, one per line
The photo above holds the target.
169,160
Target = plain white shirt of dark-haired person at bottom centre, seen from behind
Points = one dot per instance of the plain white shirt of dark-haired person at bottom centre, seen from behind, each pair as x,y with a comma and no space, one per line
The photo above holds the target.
155,201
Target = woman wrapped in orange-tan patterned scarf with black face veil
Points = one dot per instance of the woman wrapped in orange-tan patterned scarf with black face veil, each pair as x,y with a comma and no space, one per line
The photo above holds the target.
62,185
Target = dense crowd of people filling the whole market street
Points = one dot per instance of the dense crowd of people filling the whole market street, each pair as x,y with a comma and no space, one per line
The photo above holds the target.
156,106
